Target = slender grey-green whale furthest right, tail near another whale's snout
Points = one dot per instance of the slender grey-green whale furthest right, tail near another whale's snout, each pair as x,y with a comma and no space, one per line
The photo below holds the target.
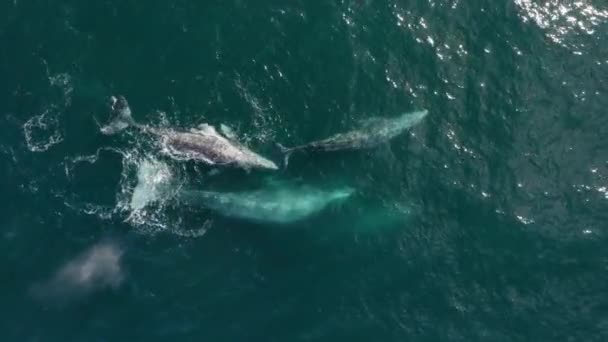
371,133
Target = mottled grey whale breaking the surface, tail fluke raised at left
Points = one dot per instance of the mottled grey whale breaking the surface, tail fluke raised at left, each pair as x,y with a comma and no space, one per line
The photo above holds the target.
203,143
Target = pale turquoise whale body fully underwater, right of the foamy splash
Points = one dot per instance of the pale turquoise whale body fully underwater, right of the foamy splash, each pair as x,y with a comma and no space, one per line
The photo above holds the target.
275,204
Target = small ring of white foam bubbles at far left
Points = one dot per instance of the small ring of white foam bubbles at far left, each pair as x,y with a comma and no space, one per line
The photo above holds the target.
42,131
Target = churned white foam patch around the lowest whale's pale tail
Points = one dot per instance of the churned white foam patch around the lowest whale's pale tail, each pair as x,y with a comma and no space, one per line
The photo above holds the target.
144,198
